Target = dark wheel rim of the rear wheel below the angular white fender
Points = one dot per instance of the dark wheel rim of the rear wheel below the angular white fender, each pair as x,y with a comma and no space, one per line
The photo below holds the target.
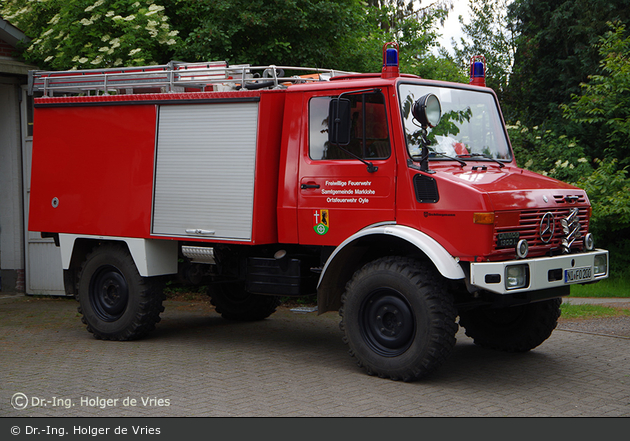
109,293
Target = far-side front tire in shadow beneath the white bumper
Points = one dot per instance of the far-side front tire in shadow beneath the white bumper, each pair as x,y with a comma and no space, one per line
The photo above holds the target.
514,329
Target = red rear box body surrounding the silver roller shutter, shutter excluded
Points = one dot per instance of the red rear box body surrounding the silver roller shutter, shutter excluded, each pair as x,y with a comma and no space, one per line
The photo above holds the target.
96,155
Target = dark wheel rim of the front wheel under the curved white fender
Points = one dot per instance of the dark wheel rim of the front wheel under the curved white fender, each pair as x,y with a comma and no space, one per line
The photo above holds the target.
387,322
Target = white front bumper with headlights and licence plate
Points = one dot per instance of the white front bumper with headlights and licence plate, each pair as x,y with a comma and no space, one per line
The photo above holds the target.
541,272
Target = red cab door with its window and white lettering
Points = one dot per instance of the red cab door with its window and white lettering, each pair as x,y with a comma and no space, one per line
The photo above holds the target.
337,194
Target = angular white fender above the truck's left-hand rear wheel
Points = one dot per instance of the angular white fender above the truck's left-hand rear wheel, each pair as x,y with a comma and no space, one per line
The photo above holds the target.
152,257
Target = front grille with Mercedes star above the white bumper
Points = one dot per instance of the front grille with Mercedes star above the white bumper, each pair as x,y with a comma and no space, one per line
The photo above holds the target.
529,229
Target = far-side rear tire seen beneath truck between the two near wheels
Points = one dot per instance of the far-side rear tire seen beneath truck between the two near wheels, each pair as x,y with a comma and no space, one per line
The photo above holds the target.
233,302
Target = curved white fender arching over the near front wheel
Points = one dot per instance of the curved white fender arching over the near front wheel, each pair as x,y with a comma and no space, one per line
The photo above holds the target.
331,285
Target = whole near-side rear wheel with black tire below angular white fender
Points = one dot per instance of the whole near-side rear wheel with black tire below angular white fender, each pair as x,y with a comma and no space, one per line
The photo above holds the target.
116,303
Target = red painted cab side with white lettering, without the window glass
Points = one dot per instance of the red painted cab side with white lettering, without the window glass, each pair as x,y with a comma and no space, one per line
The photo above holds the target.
348,198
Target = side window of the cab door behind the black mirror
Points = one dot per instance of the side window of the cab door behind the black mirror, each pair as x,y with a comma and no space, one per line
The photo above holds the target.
369,137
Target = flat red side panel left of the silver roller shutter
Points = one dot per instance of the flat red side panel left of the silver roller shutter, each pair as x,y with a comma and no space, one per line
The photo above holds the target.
98,162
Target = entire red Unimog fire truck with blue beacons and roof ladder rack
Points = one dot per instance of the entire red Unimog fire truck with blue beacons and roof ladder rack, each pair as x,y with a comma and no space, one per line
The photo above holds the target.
395,199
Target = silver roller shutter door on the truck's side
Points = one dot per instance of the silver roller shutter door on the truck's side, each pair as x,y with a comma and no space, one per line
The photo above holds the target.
205,170
